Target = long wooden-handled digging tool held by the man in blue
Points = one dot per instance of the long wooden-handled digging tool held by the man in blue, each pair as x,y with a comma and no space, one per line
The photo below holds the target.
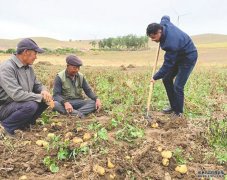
148,117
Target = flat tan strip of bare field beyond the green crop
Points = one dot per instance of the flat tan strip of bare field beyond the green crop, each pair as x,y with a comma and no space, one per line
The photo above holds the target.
207,57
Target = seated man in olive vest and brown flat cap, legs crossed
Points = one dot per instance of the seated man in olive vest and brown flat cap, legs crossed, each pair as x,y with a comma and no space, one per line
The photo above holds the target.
68,87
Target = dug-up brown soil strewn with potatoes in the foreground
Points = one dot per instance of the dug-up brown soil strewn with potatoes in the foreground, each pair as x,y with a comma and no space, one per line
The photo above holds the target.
140,159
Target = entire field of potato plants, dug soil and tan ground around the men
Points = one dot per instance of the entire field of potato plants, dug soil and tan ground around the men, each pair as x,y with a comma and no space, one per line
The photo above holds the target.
118,143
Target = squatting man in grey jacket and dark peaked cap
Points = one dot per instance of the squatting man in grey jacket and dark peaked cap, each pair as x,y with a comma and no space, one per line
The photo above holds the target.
22,97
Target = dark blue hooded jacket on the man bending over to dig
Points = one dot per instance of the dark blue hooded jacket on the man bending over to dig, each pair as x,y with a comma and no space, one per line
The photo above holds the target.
178,46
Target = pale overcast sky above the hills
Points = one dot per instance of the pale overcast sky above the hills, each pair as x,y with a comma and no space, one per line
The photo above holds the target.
97,19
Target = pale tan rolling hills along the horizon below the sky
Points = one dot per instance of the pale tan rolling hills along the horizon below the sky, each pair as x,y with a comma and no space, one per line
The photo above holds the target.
203,40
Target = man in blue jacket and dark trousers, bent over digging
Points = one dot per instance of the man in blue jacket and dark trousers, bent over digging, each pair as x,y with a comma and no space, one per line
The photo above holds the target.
179,60
